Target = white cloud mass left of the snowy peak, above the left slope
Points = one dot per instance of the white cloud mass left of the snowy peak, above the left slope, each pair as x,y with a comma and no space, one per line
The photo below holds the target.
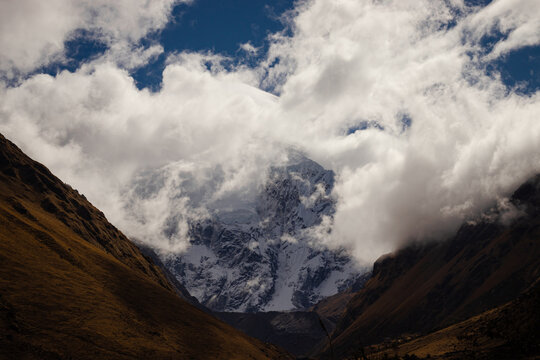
97,131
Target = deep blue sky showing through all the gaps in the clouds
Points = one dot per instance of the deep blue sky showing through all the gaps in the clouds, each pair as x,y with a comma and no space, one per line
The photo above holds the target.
221,26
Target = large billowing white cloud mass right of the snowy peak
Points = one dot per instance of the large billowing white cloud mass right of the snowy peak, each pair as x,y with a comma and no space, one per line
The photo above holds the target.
469,140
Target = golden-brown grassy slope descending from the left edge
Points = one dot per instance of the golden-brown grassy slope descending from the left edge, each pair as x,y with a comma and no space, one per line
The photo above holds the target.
73,287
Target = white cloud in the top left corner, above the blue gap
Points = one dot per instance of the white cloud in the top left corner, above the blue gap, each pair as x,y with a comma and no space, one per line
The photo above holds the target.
33,32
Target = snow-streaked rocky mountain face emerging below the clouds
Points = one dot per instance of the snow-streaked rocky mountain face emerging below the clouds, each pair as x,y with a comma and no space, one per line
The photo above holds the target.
261,257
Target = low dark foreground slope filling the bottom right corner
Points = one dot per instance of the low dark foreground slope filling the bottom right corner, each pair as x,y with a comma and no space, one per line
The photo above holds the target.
510,331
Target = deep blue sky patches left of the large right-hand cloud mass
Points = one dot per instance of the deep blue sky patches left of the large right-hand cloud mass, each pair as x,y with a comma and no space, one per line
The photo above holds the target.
203,25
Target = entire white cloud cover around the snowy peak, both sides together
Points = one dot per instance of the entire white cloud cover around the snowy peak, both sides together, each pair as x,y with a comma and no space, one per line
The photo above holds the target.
392,95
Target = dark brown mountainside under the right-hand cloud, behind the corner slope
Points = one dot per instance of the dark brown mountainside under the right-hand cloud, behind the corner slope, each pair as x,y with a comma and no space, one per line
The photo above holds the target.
427,287
